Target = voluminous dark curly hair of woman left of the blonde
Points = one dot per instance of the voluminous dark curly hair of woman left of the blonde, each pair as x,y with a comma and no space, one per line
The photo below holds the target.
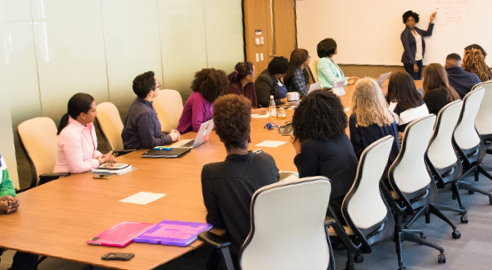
320,117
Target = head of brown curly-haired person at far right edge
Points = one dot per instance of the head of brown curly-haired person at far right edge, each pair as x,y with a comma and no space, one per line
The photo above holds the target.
474,62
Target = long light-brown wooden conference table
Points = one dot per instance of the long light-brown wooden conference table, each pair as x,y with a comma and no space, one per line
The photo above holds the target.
56,219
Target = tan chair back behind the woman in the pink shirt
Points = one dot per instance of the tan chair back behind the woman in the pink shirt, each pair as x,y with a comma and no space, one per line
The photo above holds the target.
38,137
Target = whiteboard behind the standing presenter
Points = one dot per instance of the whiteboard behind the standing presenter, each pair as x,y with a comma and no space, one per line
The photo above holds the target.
368,32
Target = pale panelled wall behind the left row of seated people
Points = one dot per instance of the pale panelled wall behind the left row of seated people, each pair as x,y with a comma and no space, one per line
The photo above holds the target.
51,49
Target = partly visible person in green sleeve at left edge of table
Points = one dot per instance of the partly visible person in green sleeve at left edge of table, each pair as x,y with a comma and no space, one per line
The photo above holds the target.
9,203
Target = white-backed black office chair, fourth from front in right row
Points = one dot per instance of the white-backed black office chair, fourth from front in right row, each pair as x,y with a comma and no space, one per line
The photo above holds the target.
441,158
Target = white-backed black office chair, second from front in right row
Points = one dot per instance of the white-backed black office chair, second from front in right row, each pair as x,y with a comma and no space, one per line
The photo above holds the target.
367,215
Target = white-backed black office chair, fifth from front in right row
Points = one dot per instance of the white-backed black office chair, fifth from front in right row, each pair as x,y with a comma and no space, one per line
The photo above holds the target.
468,143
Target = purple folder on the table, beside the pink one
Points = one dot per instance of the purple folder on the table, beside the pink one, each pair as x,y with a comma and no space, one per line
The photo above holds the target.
174,233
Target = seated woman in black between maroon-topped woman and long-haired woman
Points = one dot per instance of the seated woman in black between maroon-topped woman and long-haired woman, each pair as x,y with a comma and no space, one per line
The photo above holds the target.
268,83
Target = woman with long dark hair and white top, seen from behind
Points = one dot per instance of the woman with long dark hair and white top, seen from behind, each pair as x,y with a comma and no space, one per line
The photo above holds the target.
404,100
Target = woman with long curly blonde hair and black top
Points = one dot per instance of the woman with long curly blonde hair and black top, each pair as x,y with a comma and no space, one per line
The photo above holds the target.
371,120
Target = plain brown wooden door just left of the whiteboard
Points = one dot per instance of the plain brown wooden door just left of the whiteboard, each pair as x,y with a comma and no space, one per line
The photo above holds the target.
284,27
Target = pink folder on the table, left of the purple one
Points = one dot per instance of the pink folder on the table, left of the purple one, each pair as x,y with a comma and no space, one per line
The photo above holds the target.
120,235
